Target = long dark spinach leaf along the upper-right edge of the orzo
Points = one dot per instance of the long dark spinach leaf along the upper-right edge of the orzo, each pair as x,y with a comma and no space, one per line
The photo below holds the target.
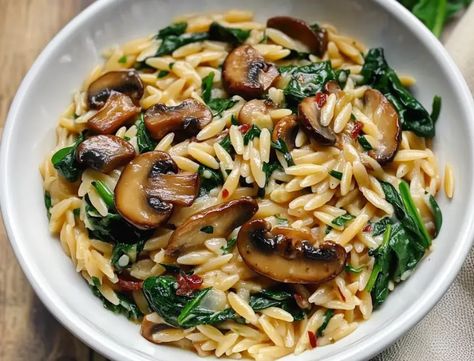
378,74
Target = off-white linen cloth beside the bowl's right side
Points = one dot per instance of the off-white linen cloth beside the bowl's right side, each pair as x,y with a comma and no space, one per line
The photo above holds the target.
447,332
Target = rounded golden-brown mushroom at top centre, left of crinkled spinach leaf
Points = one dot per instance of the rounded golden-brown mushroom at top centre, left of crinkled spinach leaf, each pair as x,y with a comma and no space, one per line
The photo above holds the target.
246,73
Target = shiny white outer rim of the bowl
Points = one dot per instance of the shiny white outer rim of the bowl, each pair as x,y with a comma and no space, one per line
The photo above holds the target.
112,349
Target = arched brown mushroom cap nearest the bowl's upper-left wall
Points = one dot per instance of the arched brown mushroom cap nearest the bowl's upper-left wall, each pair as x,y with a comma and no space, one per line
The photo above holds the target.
127,82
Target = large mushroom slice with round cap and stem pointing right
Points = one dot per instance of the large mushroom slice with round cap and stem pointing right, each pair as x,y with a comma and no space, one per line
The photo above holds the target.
148,189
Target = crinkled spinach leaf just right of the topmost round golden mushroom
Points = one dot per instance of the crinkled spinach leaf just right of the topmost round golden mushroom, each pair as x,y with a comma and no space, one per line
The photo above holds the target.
306,80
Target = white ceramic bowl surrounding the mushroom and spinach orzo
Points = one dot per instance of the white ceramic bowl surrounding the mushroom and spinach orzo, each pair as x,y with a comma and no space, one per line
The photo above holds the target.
65,62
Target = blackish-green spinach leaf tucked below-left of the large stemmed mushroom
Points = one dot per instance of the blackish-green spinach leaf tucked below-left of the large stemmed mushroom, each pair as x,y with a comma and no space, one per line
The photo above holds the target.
113,228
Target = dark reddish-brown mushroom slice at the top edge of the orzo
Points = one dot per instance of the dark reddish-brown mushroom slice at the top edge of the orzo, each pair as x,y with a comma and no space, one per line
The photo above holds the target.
316,38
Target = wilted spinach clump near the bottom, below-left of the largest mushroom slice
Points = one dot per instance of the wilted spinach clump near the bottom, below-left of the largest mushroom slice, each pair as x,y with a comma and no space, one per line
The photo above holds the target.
180,311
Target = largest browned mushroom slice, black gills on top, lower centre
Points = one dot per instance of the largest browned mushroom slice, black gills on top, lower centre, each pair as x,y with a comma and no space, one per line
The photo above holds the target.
287,255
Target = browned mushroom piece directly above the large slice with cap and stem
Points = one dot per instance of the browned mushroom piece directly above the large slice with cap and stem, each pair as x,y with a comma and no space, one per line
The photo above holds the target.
186,119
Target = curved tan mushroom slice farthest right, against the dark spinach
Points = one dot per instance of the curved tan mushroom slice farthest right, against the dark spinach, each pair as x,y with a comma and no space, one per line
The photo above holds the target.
385,117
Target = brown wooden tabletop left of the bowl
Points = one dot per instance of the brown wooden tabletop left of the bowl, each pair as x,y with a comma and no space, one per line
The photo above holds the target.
27,330
